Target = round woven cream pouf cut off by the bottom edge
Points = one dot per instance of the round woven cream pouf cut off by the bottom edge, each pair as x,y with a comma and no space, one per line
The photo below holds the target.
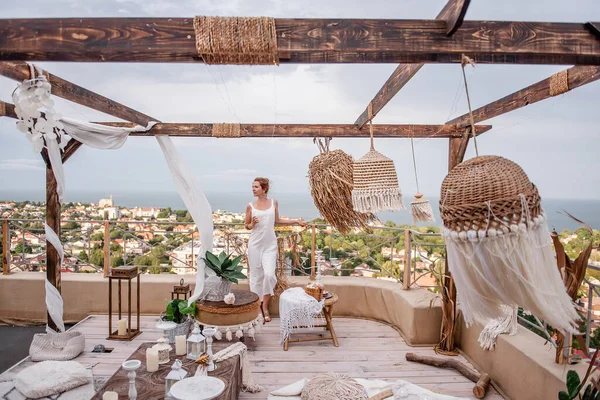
331,386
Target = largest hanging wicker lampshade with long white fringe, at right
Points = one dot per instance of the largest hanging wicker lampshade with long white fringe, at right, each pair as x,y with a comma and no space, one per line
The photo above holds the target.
499,248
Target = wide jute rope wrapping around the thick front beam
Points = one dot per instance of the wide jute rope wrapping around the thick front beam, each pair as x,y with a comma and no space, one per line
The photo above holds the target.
236,40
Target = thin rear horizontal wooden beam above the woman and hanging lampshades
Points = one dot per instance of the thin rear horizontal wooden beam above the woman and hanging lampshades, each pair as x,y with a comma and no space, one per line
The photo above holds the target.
307,130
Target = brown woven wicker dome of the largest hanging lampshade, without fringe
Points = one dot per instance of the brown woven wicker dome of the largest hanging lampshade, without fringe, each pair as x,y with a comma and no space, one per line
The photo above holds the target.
486,192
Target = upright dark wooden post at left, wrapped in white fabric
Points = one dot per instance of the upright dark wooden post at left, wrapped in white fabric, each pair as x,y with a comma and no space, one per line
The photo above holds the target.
53,221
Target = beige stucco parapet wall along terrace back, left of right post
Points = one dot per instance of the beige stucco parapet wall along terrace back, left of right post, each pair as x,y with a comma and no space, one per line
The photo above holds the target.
415,313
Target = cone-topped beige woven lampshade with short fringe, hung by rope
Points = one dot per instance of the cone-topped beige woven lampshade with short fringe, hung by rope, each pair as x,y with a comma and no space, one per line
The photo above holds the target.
375,182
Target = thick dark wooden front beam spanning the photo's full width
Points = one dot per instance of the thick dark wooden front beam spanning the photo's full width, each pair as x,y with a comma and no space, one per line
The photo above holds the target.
304,41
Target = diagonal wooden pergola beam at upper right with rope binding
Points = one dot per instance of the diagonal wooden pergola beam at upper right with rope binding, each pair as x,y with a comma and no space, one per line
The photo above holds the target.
577,76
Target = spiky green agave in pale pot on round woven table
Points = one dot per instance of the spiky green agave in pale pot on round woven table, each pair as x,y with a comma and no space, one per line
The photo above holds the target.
227,271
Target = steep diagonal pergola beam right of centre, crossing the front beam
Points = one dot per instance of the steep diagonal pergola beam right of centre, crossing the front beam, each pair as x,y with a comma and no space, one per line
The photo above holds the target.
404,72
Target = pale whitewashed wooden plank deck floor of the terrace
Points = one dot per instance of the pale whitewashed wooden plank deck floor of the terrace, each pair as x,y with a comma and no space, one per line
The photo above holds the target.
367,350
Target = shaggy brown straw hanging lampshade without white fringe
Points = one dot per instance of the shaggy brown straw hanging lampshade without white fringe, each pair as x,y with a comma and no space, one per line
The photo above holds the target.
330,177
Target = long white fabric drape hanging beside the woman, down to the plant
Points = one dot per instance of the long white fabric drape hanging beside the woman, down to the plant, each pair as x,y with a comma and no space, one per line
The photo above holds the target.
197,205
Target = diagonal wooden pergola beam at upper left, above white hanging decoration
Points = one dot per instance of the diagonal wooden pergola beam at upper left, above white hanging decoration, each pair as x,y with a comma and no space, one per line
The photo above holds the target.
70,91
